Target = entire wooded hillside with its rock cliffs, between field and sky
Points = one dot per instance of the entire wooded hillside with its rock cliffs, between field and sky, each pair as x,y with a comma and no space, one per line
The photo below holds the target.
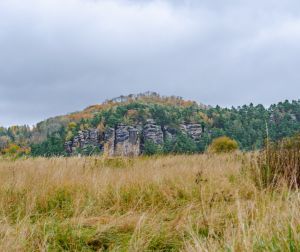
181,126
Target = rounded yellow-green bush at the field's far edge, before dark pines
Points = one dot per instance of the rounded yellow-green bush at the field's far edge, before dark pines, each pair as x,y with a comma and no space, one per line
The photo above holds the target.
223,145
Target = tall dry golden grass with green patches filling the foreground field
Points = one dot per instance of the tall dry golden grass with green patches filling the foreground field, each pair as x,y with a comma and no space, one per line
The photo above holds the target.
173,203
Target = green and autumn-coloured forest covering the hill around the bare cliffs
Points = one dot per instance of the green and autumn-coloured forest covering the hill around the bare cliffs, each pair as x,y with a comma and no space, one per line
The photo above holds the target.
249,125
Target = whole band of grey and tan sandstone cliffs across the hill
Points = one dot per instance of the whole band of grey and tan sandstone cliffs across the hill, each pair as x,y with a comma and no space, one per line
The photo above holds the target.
125,140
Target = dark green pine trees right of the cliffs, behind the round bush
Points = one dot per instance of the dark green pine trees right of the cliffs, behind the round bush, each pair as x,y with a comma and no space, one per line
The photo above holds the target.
249,125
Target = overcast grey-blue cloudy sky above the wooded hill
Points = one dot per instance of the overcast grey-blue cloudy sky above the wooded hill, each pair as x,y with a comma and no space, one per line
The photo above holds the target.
60,56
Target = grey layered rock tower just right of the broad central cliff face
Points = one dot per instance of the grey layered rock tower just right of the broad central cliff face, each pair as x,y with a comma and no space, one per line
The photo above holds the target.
153,132
